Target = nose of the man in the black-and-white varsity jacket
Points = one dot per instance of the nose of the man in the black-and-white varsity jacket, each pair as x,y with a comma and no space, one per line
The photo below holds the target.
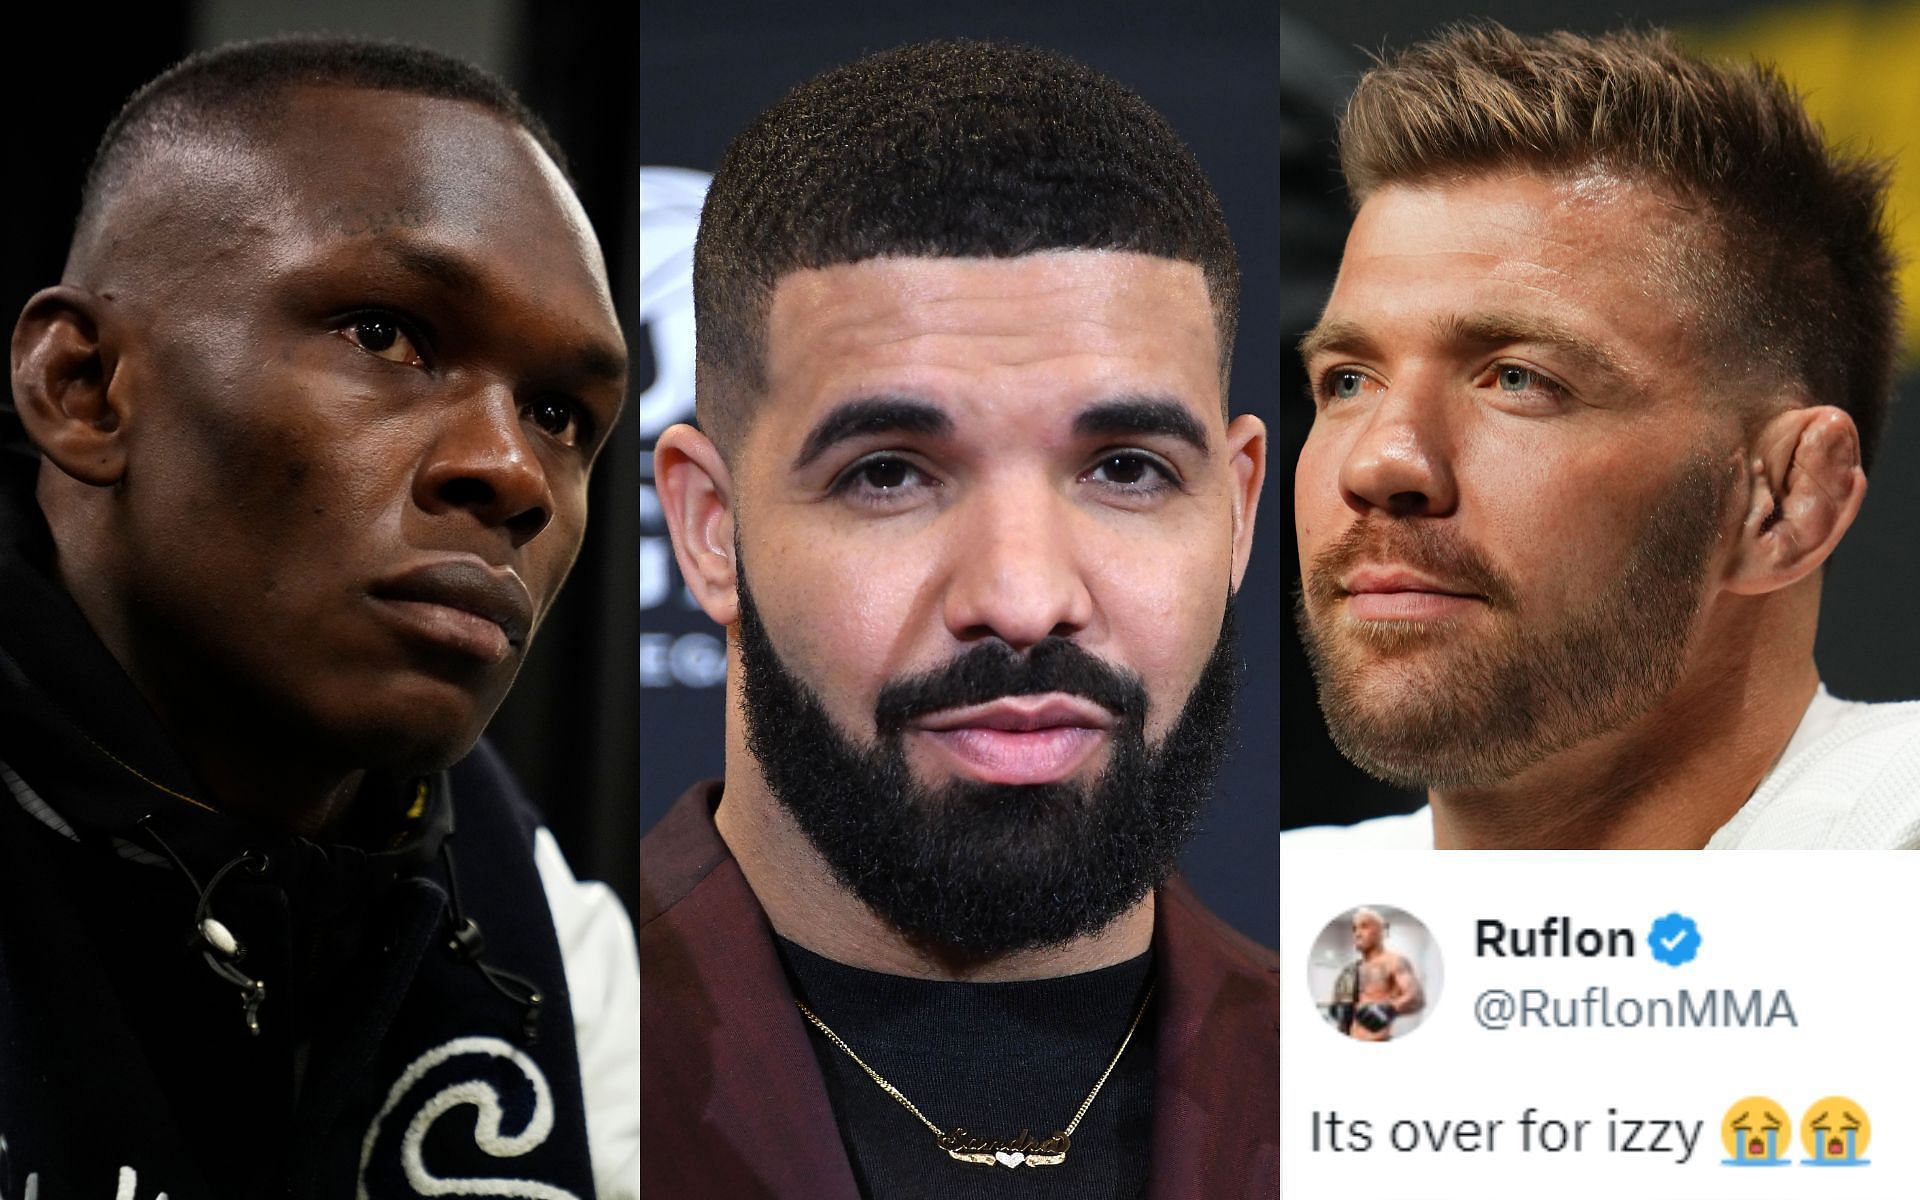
487,464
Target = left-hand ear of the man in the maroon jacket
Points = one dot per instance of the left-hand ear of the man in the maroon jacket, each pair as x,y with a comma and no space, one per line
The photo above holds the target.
696,492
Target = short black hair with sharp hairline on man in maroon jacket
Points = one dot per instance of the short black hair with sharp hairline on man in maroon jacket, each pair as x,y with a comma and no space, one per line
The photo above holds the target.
953,149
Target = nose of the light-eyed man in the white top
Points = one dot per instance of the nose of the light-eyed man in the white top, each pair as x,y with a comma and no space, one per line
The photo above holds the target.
1401,462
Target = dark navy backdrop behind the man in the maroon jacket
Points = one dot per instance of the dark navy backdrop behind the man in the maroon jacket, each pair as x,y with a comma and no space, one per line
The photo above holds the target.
708,70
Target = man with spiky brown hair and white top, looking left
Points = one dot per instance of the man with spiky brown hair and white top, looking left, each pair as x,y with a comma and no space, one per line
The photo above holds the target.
1596,396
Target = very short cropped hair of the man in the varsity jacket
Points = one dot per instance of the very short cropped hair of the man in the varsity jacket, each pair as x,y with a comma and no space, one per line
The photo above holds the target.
245,85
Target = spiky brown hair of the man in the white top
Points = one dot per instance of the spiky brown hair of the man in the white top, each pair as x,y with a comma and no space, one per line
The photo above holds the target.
1794,276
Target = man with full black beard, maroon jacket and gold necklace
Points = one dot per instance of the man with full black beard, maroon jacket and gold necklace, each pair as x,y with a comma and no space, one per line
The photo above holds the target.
965,316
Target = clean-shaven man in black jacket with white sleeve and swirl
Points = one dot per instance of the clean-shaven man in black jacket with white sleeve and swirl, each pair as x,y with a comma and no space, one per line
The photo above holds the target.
297,466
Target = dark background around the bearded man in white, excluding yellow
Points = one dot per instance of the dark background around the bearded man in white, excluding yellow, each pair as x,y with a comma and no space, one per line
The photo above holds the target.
1869,644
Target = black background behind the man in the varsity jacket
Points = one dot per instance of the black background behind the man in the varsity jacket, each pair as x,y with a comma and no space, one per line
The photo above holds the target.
569,725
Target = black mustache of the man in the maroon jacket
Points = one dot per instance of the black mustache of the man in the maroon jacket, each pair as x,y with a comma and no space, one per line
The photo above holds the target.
994,671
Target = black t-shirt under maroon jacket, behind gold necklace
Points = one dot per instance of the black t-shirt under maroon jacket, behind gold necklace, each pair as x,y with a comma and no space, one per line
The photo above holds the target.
992,1059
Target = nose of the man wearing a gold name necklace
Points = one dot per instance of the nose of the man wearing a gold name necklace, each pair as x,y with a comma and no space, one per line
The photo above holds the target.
1017,571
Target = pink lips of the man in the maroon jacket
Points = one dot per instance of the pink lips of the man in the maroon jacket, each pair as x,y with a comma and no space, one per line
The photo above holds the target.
1020,738
